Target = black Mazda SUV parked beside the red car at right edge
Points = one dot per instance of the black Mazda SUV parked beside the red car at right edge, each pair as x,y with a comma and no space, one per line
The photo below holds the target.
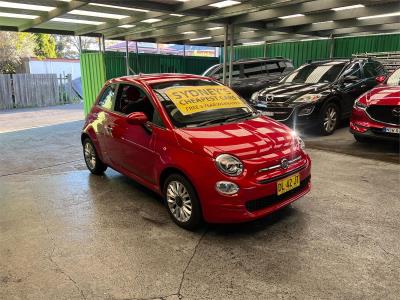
319,94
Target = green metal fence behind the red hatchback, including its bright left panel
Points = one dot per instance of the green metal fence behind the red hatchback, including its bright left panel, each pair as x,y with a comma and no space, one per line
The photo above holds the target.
97,67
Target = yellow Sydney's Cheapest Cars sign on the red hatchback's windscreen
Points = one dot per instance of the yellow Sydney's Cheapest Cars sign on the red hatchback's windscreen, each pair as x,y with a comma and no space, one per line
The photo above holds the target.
190,100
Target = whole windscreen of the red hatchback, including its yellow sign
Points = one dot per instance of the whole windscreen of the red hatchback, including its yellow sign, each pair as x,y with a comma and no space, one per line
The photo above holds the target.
195,103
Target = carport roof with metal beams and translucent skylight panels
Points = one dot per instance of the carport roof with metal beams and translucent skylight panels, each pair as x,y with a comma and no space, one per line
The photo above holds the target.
202,22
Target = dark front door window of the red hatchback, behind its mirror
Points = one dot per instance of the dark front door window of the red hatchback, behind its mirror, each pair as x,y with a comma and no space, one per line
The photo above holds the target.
131,99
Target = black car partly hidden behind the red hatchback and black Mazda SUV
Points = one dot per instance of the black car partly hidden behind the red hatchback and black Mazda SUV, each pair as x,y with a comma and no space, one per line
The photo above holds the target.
251,75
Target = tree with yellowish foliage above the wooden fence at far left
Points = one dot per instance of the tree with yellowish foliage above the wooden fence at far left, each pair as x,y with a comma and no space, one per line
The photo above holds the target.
14,46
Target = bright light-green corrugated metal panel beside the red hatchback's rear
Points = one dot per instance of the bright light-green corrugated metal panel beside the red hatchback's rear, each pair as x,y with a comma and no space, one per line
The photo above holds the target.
93,77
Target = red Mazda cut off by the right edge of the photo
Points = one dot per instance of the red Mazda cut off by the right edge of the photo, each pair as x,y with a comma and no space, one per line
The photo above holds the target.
376,114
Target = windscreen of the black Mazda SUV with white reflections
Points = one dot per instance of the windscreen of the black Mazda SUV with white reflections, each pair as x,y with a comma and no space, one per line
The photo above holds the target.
315,73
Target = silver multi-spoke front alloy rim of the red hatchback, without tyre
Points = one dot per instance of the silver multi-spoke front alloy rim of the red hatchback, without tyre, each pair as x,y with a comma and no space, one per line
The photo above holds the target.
179,201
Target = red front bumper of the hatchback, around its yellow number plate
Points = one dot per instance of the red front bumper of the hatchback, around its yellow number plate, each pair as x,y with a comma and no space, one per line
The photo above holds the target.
256,200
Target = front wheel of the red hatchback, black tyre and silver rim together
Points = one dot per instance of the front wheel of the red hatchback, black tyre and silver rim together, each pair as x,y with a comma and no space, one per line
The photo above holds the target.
182,202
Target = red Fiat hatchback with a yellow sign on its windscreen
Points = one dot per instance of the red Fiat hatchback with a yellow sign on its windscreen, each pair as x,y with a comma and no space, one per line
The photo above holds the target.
198,144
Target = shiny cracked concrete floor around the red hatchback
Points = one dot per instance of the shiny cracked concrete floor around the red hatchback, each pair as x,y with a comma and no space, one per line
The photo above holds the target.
66,234
